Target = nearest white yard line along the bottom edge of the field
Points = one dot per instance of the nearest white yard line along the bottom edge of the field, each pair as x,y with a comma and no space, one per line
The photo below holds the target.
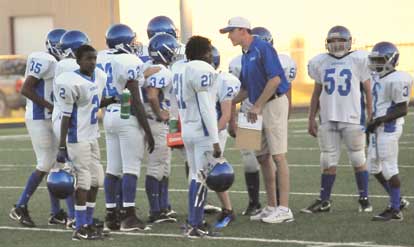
239,239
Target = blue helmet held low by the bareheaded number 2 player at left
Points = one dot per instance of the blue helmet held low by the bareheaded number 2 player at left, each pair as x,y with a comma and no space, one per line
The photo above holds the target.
61,183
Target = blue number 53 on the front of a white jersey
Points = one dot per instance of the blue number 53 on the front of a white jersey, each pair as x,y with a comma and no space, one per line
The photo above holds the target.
329,81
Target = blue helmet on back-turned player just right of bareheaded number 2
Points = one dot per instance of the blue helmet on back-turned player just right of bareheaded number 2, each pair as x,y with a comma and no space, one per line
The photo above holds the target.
122,38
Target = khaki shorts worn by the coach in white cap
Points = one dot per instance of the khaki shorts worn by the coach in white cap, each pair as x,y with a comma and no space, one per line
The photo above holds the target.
275,120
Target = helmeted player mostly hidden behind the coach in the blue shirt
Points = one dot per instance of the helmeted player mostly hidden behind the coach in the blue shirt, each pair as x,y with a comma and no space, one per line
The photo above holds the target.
251,165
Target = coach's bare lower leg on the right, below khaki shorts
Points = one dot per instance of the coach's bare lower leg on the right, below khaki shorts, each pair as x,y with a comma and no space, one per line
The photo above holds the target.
284,179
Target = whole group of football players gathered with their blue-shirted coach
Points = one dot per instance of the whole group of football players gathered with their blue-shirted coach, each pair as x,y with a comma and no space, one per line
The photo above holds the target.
151,94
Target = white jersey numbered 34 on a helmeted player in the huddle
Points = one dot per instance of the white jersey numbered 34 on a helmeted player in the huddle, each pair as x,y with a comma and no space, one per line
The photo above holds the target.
163,81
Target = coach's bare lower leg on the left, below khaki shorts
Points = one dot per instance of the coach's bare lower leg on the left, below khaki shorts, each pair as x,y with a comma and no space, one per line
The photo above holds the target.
268,171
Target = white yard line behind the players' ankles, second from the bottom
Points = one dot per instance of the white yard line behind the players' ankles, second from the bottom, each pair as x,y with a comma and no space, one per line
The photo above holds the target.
231,191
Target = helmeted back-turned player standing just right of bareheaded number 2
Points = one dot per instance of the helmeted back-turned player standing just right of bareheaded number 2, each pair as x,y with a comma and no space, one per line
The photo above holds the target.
126,138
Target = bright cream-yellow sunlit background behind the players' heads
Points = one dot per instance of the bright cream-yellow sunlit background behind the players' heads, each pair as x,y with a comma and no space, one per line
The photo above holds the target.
299,27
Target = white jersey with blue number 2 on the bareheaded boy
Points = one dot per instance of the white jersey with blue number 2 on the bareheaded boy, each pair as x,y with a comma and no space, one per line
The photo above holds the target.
79,97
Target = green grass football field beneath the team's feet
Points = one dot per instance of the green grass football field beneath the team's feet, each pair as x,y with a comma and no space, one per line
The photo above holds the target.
343,226
